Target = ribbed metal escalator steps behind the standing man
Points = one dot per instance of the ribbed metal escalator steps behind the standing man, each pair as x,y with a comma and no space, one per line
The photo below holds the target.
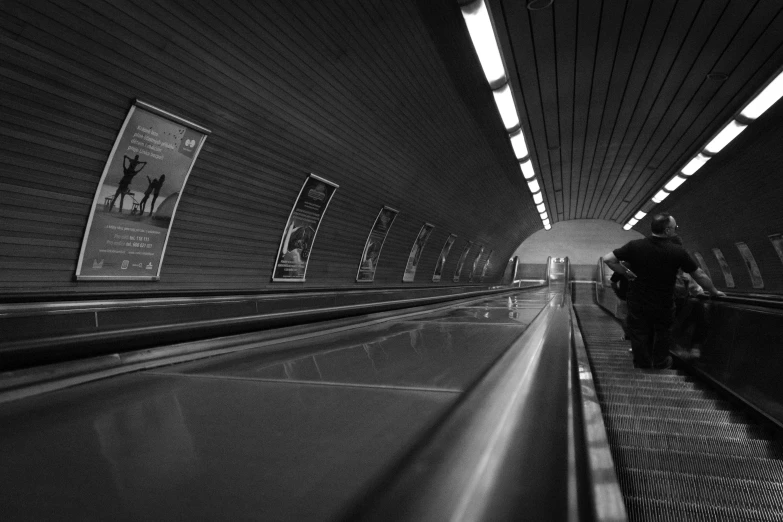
681,452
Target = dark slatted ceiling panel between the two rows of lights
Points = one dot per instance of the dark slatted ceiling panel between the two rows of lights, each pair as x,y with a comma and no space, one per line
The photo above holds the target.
615,97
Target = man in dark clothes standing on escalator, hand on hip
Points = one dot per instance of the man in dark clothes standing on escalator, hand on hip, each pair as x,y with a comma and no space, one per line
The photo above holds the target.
655,261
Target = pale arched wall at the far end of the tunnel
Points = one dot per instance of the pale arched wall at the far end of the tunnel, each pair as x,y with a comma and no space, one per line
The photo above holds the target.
583,241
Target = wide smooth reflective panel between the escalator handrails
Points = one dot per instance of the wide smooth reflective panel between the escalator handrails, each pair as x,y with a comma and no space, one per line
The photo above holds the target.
296,435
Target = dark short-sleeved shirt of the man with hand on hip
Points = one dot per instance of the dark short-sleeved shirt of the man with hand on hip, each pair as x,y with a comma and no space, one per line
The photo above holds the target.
655,261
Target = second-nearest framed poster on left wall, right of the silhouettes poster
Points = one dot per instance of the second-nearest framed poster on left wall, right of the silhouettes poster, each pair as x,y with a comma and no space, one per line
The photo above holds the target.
301,228
